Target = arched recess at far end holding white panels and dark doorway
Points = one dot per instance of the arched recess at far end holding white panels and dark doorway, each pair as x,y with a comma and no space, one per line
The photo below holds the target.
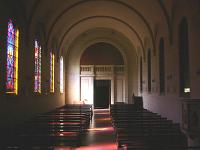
101,64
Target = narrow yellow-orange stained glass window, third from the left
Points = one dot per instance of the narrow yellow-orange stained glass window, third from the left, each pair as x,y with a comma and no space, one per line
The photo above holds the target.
51,72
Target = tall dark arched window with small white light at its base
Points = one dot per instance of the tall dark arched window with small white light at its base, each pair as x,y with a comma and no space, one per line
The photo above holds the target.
184,58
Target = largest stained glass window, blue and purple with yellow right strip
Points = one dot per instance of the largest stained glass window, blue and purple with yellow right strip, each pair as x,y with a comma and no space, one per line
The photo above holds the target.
12,59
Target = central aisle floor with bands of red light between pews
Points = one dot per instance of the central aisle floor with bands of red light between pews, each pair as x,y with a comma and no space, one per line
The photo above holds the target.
100,135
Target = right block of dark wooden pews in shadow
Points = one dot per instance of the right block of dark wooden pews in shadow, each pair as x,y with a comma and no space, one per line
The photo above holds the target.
142,129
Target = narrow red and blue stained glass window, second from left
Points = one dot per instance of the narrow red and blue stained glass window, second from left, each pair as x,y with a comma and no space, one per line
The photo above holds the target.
37,80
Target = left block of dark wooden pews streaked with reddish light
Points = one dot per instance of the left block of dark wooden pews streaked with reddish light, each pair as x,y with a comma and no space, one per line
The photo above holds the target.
62,126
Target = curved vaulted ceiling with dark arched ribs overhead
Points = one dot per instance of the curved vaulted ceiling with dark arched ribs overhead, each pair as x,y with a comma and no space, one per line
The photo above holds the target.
59,18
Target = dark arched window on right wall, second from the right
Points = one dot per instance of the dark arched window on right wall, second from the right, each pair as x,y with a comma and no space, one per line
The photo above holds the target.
162,66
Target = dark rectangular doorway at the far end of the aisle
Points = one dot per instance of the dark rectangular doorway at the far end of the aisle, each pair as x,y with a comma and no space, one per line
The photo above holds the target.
102,90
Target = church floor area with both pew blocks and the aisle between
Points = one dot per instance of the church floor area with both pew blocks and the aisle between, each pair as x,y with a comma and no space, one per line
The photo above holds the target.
79,127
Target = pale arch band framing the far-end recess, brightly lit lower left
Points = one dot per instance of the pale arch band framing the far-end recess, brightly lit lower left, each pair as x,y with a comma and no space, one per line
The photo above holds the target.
73,55
